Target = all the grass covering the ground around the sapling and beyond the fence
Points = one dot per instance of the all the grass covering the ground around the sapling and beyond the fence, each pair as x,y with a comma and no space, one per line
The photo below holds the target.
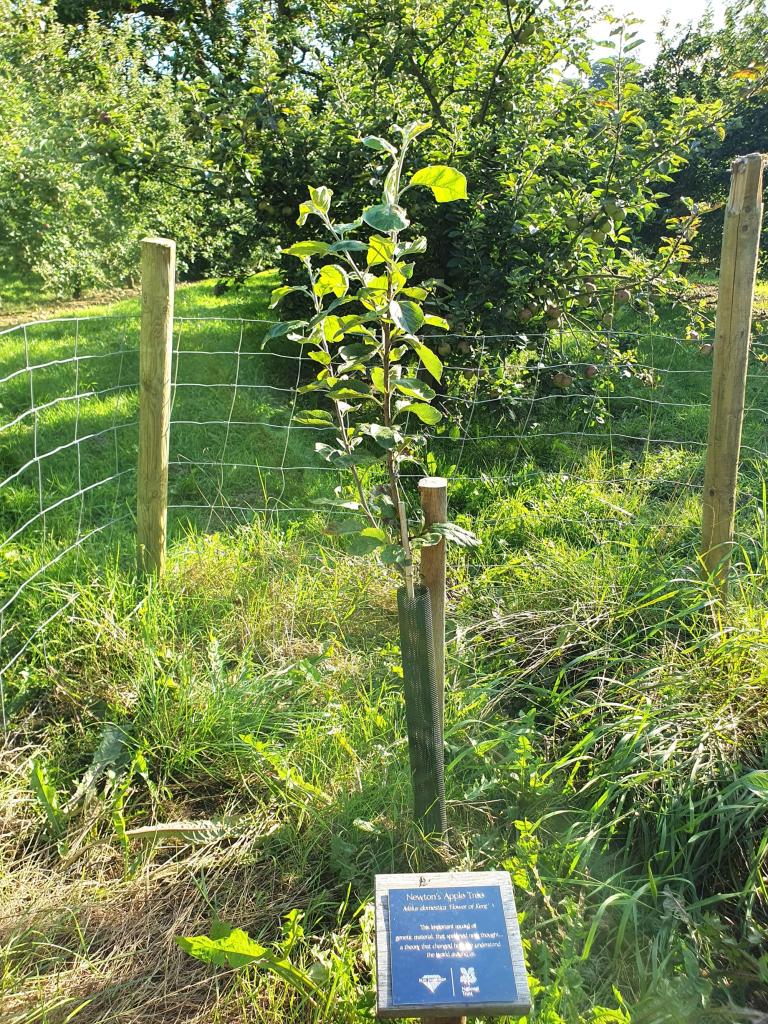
606,723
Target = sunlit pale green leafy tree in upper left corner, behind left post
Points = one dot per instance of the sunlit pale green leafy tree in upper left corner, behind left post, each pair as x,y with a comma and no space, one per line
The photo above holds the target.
90,142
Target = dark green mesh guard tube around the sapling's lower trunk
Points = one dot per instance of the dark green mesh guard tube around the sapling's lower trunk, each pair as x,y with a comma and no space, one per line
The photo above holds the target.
422,710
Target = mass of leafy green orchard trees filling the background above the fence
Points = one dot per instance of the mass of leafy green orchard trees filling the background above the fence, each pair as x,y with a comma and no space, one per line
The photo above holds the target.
206,120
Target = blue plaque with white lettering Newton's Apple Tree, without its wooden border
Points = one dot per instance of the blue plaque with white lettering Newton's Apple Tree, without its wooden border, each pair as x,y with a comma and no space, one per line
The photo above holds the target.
450,945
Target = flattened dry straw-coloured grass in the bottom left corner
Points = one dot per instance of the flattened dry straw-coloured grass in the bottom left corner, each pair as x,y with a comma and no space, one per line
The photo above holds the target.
88,944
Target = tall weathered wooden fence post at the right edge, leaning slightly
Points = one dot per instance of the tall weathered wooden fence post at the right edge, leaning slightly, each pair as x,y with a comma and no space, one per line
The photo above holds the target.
739,262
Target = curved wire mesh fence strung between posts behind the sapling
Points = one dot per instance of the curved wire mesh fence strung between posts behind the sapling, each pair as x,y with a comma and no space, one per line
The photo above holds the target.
577,435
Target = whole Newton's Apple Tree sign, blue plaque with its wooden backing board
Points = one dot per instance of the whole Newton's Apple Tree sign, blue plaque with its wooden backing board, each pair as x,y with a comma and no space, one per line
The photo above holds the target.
448,945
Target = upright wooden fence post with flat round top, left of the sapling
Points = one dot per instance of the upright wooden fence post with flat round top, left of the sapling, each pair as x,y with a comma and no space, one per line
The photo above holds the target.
156,355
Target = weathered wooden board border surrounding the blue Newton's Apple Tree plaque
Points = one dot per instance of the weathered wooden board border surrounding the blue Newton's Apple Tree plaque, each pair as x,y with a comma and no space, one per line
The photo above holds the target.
386,1008
